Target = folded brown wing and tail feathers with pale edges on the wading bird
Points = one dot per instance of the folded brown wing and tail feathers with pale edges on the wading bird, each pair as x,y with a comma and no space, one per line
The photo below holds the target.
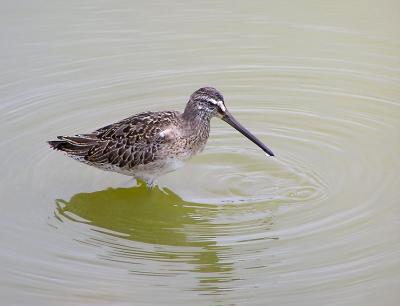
133,141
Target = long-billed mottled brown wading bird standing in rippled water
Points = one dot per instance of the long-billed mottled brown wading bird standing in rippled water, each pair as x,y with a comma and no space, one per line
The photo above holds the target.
151,144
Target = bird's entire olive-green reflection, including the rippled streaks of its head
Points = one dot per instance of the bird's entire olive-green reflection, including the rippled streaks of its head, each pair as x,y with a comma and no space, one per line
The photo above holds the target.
156,225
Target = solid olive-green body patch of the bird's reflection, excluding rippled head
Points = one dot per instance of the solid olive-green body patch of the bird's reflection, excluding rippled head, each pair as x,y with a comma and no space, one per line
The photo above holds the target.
133,213
